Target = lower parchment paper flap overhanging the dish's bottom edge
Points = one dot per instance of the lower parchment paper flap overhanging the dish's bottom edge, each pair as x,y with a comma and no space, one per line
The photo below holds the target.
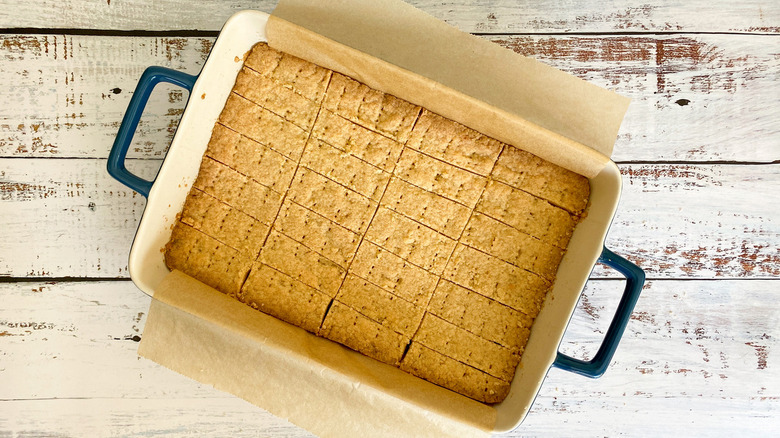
312,382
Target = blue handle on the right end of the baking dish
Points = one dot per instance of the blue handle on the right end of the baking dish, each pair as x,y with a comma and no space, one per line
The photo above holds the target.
635,280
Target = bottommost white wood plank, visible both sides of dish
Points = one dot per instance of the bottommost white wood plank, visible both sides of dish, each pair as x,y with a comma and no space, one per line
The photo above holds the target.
698,354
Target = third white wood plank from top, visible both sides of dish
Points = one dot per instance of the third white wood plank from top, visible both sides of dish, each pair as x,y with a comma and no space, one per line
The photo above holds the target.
70,218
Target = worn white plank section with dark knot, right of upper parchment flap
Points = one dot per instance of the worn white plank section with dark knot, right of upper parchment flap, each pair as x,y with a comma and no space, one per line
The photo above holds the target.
694,97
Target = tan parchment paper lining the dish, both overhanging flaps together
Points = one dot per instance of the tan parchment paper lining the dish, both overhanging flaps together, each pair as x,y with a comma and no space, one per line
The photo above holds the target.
317,384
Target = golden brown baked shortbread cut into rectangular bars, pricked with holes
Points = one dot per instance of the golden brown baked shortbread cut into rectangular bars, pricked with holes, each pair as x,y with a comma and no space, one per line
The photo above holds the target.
377,224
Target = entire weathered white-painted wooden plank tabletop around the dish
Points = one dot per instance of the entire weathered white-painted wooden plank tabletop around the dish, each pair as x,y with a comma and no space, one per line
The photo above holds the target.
699,152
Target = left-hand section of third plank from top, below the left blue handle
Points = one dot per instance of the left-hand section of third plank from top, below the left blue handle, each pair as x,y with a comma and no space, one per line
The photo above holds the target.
67,217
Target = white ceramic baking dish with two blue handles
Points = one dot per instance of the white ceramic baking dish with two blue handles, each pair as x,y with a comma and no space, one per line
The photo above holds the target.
166,193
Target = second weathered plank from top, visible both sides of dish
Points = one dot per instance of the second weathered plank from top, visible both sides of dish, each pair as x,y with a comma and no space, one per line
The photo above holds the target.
695,97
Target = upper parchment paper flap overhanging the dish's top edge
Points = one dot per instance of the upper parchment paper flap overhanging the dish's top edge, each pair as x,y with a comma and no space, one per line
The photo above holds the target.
468,79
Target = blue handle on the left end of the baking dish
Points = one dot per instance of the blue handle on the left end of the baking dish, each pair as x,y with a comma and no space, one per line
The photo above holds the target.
116,158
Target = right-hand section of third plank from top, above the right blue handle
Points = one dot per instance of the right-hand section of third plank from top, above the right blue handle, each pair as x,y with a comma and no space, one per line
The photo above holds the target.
704,221
